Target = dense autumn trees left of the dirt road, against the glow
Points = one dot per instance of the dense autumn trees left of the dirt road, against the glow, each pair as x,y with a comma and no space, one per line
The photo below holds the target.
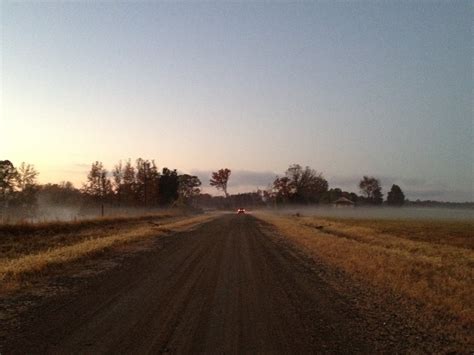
127,185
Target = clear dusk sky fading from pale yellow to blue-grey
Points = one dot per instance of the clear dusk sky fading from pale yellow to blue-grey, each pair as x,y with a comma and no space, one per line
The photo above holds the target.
379,88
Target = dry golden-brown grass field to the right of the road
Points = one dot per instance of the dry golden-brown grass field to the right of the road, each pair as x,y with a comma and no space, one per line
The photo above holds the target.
430,262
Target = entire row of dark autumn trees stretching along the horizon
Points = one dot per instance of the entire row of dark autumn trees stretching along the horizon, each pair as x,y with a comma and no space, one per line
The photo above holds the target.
142,184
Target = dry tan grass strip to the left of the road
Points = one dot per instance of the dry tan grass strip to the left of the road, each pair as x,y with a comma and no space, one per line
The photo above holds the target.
31,254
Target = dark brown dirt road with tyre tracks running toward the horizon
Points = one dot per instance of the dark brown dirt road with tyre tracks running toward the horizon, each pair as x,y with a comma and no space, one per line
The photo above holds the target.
227,287
